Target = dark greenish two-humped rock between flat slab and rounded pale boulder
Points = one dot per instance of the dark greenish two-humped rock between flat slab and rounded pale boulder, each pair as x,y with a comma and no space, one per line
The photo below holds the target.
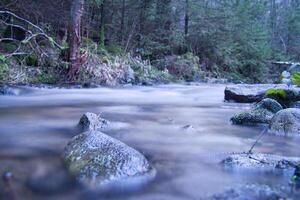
261,113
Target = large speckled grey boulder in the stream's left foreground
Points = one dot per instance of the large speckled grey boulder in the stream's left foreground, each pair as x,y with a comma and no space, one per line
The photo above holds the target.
97,159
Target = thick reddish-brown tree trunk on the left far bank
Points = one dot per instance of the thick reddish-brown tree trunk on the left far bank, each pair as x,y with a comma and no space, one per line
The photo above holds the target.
74,38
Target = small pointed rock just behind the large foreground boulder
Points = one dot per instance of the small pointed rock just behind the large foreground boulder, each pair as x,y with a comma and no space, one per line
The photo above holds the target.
92,121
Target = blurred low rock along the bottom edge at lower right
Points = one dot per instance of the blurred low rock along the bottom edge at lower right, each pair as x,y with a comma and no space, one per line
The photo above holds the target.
257,192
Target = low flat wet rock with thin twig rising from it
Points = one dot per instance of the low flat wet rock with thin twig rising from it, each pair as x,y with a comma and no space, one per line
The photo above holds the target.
261,161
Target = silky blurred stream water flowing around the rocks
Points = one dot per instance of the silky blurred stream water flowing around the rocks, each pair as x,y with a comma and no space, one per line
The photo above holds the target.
183,130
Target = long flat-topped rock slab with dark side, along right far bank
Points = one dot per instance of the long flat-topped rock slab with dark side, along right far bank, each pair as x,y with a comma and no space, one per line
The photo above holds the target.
245,93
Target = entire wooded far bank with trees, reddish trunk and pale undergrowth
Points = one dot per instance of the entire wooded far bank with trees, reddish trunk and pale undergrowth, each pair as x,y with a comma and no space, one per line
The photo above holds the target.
96,41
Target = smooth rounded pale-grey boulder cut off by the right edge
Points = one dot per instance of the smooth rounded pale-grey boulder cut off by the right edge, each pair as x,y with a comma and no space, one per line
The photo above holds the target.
286,122
